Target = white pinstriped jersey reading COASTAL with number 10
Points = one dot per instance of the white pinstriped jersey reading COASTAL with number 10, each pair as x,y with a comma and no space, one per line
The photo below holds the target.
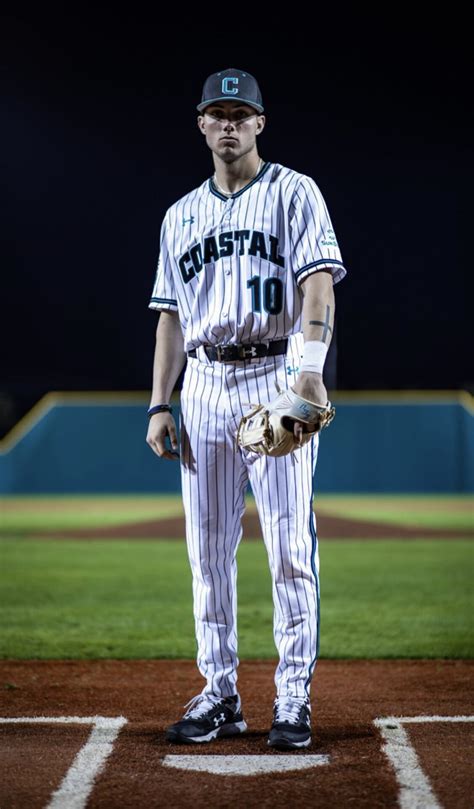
232,266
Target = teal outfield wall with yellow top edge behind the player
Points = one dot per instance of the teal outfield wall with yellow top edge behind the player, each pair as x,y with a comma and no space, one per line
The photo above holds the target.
390,442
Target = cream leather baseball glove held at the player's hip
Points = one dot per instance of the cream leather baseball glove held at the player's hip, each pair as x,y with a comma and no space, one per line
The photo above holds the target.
269,429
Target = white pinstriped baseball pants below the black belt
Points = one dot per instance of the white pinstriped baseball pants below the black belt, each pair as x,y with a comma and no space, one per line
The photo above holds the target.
214,479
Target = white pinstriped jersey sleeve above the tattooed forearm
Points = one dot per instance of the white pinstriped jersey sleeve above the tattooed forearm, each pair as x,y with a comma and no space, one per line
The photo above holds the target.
312,239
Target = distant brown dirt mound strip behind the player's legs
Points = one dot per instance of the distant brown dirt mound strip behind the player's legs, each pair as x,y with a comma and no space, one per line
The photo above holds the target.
329,527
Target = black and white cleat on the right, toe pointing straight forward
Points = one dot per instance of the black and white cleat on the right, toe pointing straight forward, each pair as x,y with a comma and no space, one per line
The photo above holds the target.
291,726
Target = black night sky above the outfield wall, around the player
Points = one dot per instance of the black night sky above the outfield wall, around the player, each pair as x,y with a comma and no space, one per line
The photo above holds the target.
99,137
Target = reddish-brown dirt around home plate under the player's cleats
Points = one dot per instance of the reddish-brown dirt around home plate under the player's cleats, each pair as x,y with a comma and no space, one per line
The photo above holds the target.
37,758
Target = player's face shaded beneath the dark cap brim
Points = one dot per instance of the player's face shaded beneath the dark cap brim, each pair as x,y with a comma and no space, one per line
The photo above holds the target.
231,128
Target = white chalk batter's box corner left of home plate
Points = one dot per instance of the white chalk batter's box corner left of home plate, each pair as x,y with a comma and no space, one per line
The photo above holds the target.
77,784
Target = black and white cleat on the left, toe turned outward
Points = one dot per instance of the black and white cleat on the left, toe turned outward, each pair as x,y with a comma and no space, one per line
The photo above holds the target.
208,718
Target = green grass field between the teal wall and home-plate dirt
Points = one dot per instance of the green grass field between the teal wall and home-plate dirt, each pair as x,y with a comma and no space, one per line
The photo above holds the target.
132,599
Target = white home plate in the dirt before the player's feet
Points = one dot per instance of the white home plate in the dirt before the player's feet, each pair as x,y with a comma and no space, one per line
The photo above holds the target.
245,765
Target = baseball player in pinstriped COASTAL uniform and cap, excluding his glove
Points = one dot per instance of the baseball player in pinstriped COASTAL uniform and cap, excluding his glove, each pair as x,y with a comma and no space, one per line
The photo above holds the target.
244,284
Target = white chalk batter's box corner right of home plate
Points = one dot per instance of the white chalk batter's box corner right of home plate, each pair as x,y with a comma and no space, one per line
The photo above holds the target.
415,789
